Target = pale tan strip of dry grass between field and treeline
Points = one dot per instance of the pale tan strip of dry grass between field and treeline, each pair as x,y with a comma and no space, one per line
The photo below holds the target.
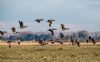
49,43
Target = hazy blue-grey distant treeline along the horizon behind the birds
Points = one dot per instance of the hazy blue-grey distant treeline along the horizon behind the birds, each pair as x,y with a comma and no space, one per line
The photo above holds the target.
27,36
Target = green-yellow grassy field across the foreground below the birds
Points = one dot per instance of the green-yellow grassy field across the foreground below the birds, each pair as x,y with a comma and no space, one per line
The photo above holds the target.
61,53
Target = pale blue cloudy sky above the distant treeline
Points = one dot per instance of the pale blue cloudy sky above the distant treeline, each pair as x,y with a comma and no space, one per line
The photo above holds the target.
75,14
